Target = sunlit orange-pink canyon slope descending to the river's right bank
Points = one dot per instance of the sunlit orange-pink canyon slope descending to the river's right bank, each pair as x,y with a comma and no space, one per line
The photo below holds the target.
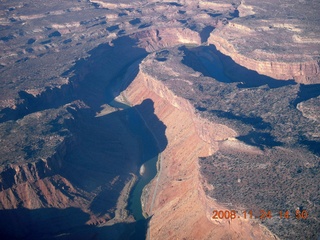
176,199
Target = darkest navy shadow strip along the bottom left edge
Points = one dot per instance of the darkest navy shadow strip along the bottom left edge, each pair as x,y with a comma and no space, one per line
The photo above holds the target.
61,224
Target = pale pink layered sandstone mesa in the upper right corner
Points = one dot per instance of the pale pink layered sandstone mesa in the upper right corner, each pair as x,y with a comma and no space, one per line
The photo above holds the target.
276,43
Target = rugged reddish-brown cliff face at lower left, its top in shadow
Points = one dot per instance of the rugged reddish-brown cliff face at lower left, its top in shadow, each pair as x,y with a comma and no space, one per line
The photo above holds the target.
32,185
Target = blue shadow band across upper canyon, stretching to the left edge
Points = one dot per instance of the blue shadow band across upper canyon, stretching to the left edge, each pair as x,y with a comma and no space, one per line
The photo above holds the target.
88,80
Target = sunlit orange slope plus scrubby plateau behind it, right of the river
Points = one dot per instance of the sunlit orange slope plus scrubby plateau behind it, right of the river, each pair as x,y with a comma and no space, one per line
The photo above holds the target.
269,165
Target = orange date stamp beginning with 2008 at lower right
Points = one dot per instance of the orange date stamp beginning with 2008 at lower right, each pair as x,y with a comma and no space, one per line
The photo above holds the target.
233,214
